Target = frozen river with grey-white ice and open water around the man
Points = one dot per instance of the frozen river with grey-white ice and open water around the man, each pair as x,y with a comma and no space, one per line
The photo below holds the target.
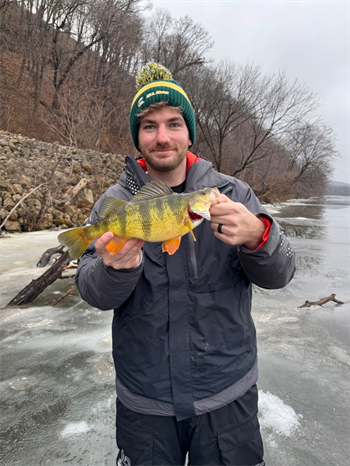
57,391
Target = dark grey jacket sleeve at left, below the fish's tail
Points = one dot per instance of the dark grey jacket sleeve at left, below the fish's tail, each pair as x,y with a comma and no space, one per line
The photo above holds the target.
103,286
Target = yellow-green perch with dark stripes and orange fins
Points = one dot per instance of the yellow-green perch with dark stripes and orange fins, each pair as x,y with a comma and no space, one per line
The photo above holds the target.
154,214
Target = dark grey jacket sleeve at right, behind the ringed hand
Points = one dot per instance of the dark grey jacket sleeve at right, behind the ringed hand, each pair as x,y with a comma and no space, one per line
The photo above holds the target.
273,265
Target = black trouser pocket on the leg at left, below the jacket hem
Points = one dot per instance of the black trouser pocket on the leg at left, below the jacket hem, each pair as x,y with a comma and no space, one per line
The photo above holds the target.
135,443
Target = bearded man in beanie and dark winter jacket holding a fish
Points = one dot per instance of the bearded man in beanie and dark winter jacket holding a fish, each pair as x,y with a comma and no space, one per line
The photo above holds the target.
184,343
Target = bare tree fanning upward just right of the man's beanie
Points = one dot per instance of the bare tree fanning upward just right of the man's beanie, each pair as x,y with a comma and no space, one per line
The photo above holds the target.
224,97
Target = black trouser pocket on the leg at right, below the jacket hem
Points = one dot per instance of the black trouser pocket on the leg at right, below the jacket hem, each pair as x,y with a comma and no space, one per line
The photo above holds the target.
241,445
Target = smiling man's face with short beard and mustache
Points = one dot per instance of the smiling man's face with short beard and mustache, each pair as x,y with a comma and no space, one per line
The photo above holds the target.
164,139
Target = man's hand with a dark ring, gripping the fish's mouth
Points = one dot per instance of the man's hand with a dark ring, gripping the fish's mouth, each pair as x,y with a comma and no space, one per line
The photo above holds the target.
239,226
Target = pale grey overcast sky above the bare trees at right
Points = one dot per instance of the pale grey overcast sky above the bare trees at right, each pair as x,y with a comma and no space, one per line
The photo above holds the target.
308,39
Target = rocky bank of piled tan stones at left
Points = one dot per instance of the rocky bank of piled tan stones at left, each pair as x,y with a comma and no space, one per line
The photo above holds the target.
54,186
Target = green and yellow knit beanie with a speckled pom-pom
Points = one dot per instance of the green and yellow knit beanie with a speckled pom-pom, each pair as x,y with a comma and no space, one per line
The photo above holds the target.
155,84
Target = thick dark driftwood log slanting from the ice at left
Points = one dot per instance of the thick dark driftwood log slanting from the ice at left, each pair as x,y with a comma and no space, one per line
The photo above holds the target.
35,287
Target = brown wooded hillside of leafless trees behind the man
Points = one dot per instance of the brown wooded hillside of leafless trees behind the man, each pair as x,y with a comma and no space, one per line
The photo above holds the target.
68,71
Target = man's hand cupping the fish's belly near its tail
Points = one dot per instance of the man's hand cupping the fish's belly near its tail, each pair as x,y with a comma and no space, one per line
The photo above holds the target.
127,258
